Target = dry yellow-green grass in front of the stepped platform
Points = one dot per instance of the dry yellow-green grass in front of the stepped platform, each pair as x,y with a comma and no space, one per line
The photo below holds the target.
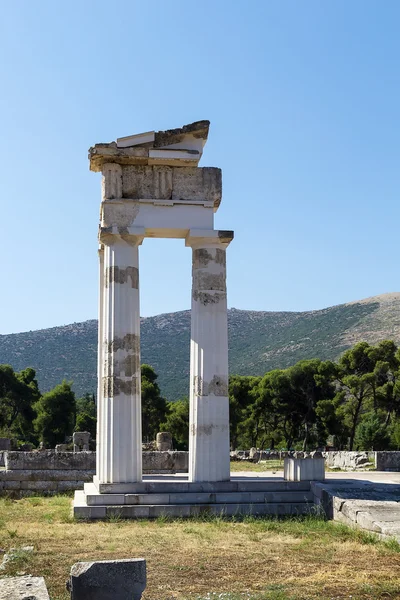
260,559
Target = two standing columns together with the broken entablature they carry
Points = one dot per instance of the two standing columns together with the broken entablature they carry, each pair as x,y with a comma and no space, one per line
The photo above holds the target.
152,186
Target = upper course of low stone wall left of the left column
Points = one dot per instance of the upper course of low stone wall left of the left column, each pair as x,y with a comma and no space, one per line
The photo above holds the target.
50,460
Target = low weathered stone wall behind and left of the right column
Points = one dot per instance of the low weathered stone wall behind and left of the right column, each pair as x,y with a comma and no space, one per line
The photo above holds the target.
53,472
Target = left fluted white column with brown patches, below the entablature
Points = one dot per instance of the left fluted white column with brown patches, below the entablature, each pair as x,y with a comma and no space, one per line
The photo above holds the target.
119,406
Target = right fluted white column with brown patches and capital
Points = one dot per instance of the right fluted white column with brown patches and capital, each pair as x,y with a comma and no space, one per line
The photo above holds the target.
209,458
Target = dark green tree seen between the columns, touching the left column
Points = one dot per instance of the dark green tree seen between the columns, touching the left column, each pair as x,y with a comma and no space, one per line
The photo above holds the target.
154,406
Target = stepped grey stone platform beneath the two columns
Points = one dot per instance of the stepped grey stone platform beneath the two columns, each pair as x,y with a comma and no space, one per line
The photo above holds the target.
177,497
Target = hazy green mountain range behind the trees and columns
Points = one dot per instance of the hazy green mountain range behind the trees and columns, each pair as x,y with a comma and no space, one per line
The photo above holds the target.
258,342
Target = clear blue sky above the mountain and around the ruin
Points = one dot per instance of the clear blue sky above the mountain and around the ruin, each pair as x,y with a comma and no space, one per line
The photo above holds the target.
303,99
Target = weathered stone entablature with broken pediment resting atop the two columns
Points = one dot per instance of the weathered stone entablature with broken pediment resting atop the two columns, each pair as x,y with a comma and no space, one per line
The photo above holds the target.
165,198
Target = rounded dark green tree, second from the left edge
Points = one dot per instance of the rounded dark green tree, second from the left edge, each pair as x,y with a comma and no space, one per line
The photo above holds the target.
56,412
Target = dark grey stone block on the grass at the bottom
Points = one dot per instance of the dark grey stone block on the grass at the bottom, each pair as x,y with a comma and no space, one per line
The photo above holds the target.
108,580
